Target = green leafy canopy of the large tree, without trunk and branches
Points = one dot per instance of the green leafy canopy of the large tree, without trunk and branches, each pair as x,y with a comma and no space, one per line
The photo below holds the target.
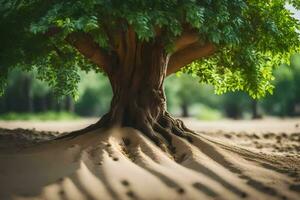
251,36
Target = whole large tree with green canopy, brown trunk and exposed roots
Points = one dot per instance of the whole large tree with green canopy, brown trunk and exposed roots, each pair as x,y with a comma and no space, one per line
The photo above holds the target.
230,44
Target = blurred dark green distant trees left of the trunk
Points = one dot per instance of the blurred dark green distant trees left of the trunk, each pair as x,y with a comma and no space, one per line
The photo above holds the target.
25,94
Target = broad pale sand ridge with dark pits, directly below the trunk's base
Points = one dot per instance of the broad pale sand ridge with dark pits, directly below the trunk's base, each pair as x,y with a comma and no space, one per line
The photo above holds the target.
129,180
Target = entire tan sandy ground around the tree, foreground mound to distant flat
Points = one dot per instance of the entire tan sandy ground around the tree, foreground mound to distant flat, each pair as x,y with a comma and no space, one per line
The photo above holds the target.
224,160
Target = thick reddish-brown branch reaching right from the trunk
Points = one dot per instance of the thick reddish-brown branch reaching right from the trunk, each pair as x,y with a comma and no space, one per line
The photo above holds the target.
189,54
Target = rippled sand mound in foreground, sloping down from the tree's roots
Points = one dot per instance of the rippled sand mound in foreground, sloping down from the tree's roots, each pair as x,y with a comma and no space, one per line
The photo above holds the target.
124,164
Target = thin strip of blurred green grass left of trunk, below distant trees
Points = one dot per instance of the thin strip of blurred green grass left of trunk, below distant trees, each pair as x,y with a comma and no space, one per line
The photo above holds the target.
45,116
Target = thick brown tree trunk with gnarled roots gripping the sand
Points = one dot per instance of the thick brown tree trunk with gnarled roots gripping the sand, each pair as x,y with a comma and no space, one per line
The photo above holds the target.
137,77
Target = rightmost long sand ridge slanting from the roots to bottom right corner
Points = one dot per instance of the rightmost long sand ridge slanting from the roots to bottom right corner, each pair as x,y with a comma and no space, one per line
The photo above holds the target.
255,175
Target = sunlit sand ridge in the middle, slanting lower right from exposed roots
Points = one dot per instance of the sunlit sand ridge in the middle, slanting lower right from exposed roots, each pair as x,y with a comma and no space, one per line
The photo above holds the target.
149,157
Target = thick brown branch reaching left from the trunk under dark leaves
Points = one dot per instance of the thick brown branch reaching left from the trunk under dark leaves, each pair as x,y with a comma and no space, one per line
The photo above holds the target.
86,46
